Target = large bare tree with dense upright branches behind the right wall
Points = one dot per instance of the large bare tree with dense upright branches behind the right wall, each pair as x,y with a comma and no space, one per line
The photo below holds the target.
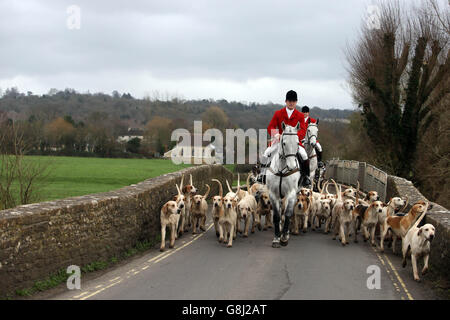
396,73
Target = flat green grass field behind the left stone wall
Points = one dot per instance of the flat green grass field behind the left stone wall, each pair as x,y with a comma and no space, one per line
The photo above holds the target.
75,176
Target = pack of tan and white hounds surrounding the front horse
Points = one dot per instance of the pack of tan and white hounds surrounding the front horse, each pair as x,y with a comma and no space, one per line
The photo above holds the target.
344,213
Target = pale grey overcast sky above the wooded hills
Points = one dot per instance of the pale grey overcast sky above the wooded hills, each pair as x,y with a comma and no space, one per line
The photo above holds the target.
246,50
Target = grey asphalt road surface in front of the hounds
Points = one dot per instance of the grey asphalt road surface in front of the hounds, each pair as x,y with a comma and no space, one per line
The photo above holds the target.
312,266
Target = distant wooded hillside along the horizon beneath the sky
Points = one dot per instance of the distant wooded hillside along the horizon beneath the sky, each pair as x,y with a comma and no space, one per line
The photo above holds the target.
127,111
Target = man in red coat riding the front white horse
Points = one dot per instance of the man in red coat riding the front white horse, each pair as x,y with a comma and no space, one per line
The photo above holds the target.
290,116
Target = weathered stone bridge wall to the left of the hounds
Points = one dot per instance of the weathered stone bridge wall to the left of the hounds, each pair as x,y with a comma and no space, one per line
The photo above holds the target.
39,239
